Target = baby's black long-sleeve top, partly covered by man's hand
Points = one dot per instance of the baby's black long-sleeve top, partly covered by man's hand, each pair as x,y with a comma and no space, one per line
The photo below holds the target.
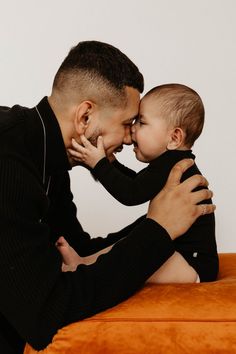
198,244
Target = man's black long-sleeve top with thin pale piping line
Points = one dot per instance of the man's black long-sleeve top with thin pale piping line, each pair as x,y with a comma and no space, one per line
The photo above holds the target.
36,298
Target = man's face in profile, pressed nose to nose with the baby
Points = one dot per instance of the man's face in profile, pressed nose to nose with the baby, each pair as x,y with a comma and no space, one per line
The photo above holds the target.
113,124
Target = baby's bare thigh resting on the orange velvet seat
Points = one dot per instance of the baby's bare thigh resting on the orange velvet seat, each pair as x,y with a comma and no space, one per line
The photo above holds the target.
175,270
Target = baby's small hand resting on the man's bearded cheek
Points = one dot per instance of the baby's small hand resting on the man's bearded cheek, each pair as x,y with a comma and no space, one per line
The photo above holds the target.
87,153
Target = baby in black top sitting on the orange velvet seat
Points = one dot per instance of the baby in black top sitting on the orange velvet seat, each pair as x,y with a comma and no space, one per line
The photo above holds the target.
171,118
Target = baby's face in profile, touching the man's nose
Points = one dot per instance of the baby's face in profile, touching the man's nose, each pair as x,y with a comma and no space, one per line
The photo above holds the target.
151,132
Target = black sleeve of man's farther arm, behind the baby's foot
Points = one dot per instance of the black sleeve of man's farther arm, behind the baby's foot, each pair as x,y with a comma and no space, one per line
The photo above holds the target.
62,219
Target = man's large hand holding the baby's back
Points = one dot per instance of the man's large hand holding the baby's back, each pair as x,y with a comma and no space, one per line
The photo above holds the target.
176,206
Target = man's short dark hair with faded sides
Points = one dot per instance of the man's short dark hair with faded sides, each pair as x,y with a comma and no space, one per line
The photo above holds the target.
99,72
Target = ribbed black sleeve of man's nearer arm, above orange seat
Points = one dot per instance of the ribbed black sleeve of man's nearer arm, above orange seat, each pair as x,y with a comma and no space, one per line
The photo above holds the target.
36,297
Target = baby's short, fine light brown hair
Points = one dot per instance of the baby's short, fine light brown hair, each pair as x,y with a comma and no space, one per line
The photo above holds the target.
182,107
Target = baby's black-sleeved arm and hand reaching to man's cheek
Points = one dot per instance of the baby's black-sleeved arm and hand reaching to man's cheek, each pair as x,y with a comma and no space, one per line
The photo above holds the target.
128,187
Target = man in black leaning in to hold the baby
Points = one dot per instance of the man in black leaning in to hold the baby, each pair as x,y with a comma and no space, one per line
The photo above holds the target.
95,92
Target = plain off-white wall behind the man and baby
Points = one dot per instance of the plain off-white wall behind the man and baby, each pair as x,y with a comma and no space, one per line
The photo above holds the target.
187,41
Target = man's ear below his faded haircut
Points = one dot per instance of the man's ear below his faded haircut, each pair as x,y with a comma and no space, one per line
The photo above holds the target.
82,113
